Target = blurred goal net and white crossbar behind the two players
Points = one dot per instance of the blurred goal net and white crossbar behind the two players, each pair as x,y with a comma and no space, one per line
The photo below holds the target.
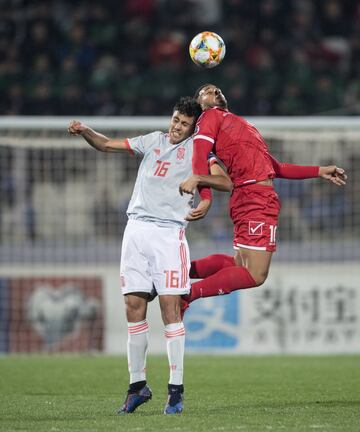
63,202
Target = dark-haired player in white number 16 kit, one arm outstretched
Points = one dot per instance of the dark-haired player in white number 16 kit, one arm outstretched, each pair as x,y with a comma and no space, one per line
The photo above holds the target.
154,249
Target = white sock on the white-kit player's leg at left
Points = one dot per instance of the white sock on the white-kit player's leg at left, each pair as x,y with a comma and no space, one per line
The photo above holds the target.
137,344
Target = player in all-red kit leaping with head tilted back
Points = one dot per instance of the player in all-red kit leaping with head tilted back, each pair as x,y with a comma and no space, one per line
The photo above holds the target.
254,204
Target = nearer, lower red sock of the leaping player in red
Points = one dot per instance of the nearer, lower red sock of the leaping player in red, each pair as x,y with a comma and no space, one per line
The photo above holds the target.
224,281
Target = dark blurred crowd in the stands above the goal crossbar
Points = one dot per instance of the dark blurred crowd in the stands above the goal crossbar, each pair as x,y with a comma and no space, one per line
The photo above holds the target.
130,57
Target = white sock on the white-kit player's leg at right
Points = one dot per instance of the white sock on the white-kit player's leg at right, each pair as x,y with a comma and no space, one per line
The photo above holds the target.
175,344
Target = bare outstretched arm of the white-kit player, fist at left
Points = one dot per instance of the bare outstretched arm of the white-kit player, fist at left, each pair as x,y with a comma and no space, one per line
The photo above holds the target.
95,139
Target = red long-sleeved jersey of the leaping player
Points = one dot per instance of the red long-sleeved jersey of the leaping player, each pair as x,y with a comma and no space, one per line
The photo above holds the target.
242,149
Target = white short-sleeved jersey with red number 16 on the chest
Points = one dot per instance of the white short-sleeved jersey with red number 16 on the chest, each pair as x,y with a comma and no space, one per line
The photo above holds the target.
156,197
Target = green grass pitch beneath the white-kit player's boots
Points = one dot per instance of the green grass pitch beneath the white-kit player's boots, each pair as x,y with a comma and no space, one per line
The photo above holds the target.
273,393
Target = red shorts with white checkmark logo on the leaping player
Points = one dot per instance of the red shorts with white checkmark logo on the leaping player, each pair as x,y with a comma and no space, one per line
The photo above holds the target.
254,210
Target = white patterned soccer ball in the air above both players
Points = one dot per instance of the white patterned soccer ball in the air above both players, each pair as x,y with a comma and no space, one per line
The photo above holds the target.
207,49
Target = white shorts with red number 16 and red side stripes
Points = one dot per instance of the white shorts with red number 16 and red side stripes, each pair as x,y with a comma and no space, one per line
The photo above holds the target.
156,255
